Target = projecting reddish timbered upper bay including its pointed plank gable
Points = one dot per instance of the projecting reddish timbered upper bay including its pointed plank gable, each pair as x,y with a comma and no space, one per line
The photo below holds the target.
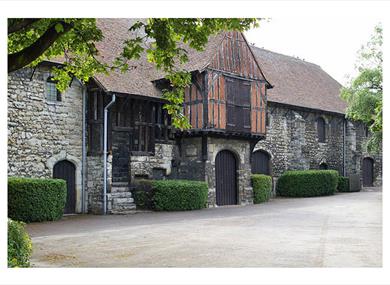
230,94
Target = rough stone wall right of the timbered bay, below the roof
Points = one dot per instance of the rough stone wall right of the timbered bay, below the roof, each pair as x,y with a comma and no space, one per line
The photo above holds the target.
292,142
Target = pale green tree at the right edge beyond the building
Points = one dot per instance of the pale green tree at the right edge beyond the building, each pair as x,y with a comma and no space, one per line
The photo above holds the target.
364,93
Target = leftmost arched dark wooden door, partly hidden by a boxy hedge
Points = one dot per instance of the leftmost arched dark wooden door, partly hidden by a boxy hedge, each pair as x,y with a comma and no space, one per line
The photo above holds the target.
67,171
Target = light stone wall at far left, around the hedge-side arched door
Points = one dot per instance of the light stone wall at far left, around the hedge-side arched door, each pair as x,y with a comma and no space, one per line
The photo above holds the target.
41,132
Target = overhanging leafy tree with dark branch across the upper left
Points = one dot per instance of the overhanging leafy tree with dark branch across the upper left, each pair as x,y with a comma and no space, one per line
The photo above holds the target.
32,40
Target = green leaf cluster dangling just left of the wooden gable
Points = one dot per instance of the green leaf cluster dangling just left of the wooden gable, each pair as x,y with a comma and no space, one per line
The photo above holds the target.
167,42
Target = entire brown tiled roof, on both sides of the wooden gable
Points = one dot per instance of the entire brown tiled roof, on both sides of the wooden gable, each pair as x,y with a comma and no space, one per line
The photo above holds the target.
296,82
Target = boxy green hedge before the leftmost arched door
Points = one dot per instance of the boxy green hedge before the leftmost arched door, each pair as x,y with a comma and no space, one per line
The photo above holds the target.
34,200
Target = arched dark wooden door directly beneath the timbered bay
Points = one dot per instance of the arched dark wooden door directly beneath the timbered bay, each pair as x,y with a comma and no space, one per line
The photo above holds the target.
226,182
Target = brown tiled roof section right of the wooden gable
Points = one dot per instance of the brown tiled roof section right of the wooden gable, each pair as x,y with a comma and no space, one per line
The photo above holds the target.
300,83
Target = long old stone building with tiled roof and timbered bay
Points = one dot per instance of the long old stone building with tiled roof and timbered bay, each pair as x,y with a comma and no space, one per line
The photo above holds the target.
251,111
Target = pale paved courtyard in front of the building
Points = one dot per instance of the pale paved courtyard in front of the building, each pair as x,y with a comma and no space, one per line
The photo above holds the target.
344,230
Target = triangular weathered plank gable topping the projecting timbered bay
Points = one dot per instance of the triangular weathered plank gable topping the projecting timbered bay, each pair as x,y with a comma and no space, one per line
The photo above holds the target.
234,56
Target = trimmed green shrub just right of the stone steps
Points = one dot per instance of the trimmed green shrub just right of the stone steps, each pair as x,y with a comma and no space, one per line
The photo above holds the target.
176,195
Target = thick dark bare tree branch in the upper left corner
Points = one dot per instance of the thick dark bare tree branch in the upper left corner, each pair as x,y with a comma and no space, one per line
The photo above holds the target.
29,54
